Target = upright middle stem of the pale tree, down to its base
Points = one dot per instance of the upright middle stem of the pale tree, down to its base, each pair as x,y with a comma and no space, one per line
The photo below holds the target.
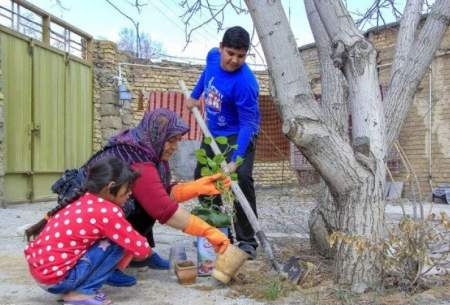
361,212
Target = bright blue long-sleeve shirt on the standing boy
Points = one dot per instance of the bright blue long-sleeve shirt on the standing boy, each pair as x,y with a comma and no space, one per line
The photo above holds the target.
231,101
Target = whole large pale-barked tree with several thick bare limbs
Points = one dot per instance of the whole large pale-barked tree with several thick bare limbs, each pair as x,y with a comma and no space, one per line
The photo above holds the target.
353,167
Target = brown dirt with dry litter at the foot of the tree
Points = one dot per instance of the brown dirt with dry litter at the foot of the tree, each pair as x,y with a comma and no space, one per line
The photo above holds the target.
256,280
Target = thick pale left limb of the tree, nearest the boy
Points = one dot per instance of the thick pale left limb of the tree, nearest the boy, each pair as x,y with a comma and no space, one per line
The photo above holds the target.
304,123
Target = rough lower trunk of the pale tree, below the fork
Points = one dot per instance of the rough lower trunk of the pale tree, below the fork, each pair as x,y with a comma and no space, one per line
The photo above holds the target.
361,214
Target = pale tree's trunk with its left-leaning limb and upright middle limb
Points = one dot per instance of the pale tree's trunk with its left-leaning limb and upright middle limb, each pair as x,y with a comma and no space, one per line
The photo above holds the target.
355,178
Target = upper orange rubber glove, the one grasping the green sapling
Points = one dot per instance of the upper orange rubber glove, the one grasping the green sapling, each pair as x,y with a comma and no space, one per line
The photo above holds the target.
203,186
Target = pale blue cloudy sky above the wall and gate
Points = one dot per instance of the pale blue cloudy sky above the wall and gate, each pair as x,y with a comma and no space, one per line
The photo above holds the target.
161,20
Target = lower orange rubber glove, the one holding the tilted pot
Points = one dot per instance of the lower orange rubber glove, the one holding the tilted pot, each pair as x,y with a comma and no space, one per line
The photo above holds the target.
198,227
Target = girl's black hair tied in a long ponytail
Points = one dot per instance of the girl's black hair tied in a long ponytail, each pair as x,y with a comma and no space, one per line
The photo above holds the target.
99,175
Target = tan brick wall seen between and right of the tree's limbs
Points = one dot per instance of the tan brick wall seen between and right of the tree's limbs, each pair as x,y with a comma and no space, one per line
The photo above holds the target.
416,132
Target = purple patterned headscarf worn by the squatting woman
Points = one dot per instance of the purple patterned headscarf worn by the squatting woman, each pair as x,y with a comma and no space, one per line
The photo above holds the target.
146,141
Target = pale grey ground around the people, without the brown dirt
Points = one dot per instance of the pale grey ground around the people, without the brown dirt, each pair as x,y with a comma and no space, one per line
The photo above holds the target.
282,213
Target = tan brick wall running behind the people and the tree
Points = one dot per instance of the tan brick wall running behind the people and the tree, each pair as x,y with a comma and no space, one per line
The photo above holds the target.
414,137
